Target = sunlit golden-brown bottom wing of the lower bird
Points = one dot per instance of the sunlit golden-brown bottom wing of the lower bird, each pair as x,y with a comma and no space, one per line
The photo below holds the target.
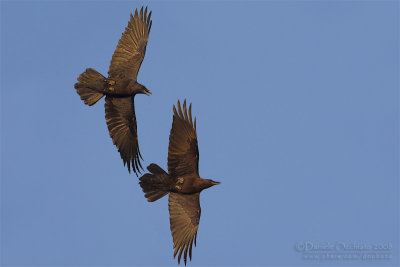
184,214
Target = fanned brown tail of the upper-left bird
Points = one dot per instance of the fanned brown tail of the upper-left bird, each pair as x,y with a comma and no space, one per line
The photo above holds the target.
89,85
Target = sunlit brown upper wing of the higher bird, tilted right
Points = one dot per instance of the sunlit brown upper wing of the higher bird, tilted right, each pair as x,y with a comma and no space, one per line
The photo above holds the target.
131,48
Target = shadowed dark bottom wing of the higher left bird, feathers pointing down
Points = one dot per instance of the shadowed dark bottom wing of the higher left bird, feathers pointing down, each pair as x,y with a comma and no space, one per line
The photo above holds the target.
121,122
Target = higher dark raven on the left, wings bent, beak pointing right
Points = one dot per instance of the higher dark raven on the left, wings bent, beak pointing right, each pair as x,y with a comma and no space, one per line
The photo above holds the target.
120,88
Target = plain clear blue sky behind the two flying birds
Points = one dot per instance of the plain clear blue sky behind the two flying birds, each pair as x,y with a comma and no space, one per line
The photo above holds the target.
297,107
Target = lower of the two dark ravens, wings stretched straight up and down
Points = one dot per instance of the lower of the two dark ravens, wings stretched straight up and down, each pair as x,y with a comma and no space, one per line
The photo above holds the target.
182,182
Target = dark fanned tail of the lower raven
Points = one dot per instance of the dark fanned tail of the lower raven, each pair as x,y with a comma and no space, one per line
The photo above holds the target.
156,184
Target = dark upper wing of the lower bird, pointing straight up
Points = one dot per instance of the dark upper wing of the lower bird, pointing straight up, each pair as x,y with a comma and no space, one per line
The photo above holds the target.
183,152
